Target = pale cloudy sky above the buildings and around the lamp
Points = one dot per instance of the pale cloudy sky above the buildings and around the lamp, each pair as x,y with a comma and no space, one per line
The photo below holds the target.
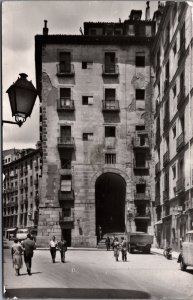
21,21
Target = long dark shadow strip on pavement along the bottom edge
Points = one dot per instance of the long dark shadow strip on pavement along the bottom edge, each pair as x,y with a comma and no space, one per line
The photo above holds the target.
76,293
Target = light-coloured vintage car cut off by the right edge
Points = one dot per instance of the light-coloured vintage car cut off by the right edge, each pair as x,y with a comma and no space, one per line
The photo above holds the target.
187,251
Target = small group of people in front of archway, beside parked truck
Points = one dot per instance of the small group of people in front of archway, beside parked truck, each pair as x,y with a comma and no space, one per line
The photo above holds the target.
117,247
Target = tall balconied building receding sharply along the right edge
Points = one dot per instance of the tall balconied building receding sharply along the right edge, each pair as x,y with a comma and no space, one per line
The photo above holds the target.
172,55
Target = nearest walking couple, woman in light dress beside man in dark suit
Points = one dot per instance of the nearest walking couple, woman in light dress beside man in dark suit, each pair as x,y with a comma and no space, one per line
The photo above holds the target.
26,247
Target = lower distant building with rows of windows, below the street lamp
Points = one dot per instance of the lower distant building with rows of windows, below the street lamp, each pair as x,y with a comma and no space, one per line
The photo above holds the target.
21,189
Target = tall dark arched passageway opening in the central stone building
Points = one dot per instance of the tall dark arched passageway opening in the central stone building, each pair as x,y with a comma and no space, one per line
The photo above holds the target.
110,191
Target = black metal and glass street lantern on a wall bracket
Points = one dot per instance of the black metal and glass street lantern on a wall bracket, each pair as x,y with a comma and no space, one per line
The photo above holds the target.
22,96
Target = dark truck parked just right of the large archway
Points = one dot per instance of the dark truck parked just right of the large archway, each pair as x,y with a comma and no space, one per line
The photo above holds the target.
140,241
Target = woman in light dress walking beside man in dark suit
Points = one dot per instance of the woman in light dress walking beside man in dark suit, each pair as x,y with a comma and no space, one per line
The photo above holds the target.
16,253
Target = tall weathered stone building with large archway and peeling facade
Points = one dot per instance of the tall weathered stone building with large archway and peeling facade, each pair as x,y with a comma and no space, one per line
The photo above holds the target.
96,125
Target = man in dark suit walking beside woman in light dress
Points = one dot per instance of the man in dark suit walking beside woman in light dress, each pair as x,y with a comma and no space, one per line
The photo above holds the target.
29,247
